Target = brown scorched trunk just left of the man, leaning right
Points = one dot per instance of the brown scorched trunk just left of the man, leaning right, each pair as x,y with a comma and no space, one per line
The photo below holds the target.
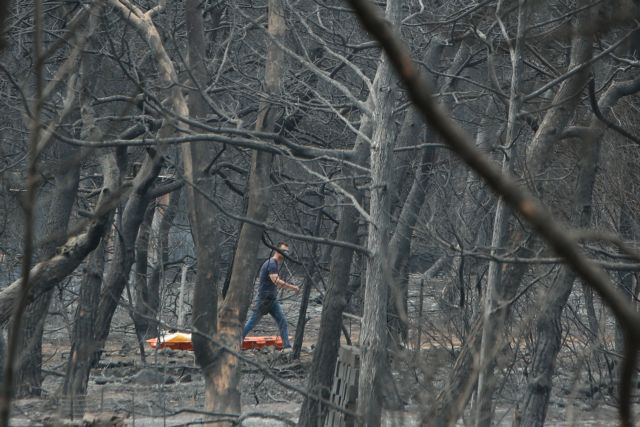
222,393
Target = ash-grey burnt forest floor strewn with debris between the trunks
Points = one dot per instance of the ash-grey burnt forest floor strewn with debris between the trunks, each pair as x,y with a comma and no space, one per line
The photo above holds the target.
169,389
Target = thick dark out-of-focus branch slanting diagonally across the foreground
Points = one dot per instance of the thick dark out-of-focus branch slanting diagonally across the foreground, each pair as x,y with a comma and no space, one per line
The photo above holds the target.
517,197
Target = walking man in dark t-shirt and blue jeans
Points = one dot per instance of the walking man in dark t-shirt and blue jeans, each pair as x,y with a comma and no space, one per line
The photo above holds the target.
267,299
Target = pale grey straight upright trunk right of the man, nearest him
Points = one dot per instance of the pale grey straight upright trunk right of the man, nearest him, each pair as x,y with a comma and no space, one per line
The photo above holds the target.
373,336
